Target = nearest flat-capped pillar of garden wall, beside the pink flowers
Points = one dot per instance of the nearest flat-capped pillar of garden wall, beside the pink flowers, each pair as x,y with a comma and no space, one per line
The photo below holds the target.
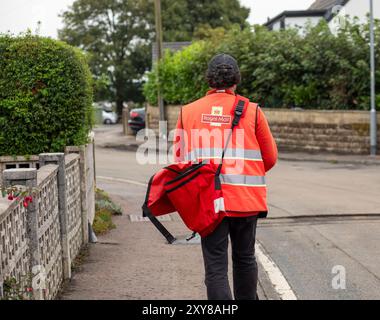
28,178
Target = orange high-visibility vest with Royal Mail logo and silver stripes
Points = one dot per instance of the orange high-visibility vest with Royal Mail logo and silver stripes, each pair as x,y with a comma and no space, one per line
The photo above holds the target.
243,172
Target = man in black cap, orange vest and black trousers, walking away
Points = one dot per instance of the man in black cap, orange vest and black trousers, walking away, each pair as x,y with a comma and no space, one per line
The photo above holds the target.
242,178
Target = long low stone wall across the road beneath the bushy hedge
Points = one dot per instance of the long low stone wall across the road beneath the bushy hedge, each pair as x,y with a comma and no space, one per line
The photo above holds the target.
345,132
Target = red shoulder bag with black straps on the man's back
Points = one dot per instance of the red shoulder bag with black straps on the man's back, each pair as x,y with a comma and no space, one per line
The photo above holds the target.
192,189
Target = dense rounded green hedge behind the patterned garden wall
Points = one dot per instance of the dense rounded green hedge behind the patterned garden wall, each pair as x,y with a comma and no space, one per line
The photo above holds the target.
45,95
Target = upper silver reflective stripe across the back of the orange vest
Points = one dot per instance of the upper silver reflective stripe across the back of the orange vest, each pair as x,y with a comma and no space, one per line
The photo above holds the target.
214,153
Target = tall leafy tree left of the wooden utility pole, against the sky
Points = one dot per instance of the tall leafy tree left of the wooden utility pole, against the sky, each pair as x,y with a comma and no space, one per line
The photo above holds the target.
116,33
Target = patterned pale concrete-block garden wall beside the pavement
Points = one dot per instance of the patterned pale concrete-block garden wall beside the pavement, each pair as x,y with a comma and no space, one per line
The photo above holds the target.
42,241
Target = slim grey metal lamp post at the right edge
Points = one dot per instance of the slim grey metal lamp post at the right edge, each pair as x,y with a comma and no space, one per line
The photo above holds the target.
373,126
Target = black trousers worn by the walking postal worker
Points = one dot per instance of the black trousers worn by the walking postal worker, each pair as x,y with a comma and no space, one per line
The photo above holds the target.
242,232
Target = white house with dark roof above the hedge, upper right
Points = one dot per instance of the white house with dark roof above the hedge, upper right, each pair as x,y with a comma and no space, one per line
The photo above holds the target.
330,10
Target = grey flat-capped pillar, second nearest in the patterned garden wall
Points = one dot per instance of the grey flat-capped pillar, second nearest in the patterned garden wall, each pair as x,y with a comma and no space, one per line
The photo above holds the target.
59,160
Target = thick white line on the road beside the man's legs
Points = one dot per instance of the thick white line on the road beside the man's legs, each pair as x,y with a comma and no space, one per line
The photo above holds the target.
275,275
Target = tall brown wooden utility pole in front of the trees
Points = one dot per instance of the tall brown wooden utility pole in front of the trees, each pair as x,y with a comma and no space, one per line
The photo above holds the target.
157,7
